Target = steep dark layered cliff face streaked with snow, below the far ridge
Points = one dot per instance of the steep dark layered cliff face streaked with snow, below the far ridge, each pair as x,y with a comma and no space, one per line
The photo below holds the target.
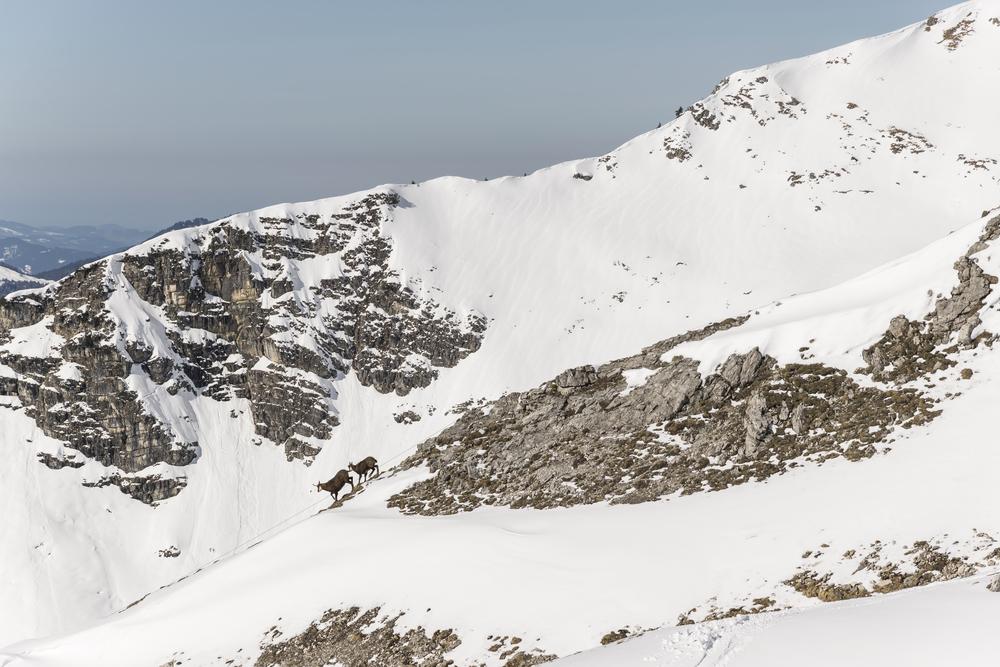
239,320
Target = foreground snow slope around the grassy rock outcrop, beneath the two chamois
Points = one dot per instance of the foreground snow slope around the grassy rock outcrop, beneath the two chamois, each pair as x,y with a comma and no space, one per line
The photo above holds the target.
560,580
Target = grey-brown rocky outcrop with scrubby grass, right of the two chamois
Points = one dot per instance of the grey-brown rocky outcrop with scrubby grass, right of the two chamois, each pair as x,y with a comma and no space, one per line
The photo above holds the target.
590,435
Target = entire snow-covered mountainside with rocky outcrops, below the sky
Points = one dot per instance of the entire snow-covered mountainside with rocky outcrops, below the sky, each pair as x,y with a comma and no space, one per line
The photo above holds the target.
761,430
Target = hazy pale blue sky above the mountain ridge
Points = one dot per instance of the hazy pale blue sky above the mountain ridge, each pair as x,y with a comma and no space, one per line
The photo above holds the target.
146,112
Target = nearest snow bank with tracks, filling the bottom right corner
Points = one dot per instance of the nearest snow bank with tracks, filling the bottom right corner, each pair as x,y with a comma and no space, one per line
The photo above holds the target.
945,624
